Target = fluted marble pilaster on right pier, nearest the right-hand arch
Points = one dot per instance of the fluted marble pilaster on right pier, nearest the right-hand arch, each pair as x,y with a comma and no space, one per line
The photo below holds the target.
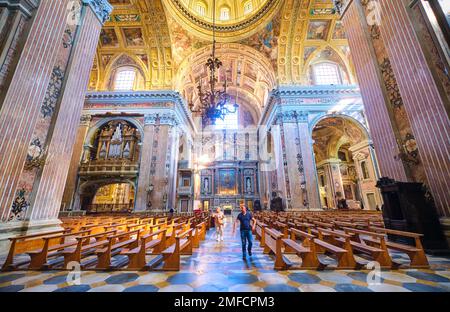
373,91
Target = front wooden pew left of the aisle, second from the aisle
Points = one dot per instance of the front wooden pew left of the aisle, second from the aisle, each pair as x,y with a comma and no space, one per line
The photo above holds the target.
154,242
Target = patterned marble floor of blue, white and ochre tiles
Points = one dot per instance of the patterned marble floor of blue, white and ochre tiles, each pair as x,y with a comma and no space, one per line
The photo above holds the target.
219,267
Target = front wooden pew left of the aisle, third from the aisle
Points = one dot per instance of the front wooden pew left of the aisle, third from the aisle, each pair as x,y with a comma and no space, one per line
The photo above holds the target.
115,244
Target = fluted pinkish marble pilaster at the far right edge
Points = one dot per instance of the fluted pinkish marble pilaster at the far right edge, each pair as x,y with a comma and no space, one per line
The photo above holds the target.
424,103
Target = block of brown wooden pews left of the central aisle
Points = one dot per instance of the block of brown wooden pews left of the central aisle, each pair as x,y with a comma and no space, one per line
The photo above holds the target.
109,242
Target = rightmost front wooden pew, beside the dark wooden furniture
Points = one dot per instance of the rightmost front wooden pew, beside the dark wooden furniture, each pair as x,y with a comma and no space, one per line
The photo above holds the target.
416,254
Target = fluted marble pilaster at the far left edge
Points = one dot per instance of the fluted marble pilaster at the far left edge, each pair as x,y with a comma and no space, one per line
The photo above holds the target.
21,101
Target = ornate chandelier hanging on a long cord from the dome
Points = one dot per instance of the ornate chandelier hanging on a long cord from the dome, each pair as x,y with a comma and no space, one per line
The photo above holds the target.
214,104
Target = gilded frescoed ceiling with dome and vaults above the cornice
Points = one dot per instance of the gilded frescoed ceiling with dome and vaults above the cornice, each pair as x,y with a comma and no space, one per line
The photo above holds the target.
161,38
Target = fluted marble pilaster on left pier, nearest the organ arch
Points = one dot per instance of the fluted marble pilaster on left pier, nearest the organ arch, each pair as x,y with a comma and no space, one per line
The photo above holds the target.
48,196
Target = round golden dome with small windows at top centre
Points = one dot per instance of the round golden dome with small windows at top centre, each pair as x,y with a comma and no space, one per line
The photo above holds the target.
235,21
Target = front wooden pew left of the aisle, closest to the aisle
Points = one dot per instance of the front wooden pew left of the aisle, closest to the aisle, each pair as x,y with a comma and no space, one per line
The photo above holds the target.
172,254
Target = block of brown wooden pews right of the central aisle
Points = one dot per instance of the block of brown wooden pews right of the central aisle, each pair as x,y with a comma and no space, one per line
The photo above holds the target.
352,243
